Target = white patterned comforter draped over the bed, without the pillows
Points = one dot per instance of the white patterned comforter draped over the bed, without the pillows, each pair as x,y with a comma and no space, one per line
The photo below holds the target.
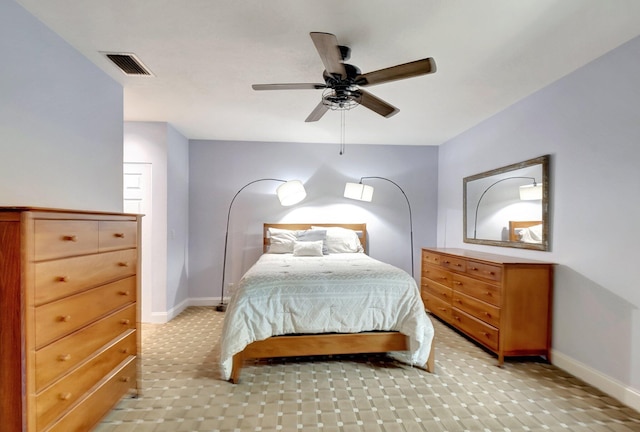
338,293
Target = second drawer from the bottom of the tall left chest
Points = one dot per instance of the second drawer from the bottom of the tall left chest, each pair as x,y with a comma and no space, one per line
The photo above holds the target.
58,397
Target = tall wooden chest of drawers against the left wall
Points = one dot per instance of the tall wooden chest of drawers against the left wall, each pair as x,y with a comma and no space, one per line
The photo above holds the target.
69,333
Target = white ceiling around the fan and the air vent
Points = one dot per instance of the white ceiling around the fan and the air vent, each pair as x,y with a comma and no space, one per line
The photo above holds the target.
205,54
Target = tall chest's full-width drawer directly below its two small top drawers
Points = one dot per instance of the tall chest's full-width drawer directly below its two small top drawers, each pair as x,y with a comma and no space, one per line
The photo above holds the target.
63,277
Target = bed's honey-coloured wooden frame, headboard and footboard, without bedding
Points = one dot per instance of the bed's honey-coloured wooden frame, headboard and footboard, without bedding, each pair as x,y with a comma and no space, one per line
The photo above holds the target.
324,344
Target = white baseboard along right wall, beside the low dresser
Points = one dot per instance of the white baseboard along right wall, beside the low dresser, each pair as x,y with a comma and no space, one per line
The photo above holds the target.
607,384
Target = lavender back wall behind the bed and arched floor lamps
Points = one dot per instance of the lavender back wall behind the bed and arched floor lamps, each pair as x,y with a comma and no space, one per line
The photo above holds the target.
219,169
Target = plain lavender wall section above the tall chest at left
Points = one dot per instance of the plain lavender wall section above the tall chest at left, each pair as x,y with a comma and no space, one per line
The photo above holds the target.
60,121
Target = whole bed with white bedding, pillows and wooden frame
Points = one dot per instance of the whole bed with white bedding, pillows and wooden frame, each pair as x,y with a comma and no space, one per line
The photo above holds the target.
288,305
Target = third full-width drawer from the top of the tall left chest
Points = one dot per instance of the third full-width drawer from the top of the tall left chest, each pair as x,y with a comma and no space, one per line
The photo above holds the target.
57,358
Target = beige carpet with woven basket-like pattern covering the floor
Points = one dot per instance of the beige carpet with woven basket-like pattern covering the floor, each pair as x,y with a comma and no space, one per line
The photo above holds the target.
182,390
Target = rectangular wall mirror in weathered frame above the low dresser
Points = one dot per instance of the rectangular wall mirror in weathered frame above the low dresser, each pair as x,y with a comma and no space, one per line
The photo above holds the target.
509,206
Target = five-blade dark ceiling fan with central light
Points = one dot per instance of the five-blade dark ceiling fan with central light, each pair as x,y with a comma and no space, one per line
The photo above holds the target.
342,81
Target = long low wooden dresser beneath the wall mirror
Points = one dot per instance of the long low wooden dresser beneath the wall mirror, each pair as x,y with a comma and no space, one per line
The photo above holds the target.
502,302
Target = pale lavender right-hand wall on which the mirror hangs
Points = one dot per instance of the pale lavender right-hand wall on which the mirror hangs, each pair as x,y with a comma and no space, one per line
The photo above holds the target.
588,122
